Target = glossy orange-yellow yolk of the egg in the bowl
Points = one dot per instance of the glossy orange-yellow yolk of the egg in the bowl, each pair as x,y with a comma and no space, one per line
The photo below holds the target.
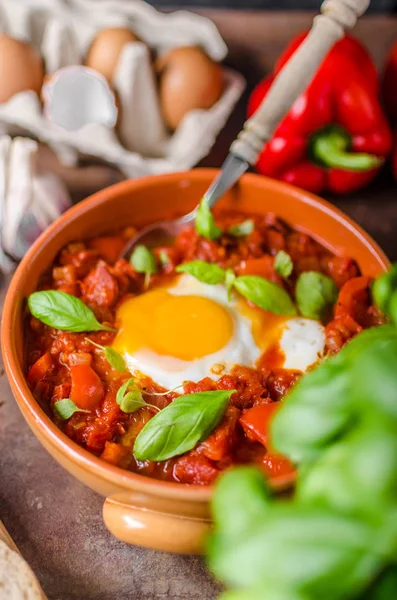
184,327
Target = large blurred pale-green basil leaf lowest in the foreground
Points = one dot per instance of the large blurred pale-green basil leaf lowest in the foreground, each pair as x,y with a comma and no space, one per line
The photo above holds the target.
311,549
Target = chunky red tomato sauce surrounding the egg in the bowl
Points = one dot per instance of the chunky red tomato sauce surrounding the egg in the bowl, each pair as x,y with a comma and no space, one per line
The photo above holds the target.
66,365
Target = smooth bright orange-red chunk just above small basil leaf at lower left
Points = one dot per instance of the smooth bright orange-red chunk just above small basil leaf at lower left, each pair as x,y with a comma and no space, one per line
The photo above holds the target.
87,389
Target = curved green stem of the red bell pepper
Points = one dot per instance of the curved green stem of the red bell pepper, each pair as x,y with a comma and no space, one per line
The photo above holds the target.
330,147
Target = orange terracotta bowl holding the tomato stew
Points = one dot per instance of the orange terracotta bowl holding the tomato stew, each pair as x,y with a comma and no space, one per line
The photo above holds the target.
139,510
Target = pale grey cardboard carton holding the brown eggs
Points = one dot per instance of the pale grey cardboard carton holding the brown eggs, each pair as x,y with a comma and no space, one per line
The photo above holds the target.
62,31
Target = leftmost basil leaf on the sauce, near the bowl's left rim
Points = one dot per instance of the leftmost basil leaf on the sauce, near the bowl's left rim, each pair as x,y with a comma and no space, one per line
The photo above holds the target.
63,311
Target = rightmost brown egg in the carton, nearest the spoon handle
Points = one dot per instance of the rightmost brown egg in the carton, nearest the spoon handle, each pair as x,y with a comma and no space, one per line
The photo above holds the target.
189,79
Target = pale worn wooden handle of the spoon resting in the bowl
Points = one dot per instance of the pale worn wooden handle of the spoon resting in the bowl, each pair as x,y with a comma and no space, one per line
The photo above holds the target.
328,27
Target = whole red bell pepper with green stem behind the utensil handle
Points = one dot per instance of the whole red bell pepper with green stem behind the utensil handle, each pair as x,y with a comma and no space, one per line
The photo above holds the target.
335,136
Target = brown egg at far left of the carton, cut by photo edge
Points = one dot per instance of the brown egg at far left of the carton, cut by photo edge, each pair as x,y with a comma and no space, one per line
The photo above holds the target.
21,68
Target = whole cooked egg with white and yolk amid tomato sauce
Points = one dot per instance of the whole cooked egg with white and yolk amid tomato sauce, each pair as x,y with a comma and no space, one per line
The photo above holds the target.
190,330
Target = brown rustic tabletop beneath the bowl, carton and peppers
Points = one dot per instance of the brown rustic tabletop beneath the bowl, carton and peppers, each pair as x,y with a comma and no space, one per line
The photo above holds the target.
56,521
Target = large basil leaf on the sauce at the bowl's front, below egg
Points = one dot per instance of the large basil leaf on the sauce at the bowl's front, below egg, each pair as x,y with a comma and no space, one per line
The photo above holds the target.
181,425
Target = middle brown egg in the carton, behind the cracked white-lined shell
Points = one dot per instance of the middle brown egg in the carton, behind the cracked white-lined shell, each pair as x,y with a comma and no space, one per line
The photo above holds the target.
106,48
